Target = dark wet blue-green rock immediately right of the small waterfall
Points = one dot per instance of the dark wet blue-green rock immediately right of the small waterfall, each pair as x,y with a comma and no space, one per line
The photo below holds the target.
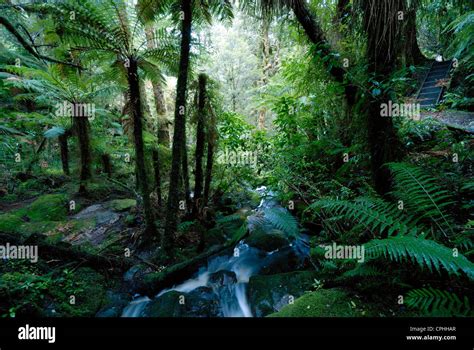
270,293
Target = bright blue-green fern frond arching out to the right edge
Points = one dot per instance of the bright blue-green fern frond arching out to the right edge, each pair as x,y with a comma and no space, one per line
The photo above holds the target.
424,252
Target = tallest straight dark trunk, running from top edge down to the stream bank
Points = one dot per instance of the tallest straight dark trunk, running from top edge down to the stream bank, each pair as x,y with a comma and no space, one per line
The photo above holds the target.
179,128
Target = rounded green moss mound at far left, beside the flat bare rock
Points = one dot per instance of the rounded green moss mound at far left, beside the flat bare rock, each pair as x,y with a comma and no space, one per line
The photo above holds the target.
50,207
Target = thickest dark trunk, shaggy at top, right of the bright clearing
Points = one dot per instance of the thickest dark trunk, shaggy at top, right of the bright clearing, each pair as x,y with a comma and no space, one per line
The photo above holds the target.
383,28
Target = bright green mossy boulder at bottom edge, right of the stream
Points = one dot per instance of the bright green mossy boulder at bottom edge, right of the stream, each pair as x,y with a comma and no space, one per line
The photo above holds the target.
323,303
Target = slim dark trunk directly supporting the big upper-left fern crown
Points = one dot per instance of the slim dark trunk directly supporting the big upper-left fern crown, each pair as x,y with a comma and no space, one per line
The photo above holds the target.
136,110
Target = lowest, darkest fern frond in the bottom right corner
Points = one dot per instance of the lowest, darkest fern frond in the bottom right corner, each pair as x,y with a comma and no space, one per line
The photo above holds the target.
436,302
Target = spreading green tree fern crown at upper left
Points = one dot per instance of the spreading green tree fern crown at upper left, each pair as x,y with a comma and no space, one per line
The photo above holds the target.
113,31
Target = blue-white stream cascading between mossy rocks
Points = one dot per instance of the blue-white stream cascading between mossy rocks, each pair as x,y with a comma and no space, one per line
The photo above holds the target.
228,275
